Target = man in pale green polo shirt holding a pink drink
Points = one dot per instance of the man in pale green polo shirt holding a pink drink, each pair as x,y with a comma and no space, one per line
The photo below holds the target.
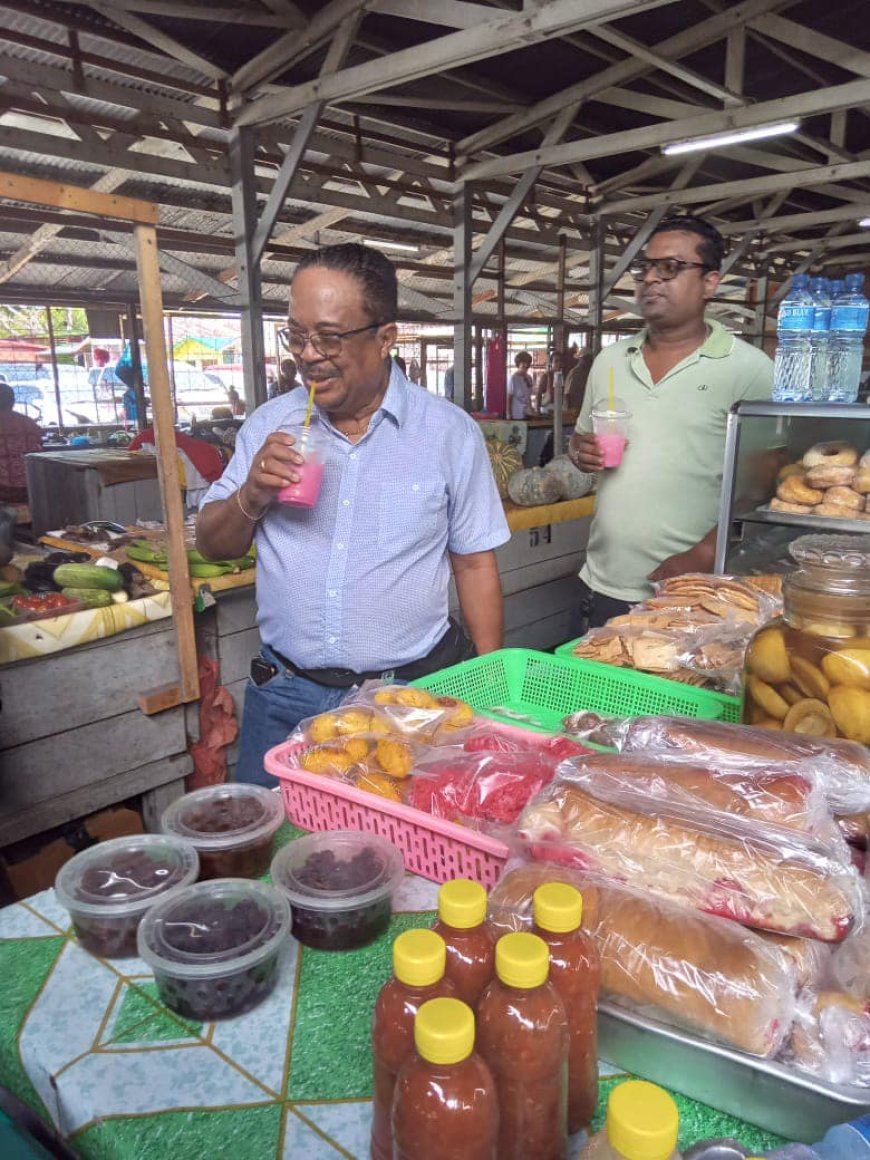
657,514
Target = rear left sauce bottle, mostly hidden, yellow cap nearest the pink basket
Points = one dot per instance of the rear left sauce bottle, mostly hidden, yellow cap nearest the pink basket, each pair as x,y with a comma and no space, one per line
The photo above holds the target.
470,948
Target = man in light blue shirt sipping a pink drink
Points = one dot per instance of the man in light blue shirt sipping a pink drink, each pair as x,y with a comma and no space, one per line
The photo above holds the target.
356,589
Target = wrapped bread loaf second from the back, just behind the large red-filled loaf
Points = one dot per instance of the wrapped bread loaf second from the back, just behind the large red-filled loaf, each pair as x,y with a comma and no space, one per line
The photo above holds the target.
788,797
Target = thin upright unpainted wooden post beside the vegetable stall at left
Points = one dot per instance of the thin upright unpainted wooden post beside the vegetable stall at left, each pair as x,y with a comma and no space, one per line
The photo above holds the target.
153,316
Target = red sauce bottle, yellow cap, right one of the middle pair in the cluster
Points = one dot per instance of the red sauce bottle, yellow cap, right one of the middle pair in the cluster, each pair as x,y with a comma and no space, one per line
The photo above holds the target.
524,1036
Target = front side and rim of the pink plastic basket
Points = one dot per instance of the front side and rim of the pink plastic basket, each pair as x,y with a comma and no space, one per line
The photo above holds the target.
437,850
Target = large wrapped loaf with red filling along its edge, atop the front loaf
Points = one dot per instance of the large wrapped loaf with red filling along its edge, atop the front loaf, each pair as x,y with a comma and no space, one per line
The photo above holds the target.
763,876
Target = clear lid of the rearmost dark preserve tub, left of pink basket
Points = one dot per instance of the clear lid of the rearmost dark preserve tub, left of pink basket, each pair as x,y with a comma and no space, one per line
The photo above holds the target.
221,817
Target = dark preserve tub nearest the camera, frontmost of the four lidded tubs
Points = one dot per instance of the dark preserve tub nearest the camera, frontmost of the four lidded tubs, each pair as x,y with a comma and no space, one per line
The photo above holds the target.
215,948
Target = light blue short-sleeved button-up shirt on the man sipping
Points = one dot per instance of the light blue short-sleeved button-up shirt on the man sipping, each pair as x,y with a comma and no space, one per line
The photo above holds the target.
360,581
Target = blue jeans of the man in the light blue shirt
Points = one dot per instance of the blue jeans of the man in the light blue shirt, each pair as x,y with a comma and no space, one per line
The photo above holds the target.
273,712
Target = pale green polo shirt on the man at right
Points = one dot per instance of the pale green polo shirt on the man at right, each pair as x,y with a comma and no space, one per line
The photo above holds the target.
665,496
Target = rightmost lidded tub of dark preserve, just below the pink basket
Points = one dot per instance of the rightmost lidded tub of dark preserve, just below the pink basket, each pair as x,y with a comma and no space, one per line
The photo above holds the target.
340,886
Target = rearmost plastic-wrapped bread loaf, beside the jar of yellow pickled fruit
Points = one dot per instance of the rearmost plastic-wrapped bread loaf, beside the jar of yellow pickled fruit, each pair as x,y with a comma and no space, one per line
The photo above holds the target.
843,767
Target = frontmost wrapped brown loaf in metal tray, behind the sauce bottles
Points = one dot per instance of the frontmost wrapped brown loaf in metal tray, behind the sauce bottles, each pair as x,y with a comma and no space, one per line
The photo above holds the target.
705,975
